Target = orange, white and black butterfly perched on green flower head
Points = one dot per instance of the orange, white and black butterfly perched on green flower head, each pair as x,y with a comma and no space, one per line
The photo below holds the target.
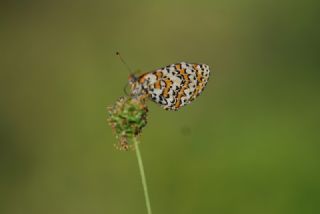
173,86
